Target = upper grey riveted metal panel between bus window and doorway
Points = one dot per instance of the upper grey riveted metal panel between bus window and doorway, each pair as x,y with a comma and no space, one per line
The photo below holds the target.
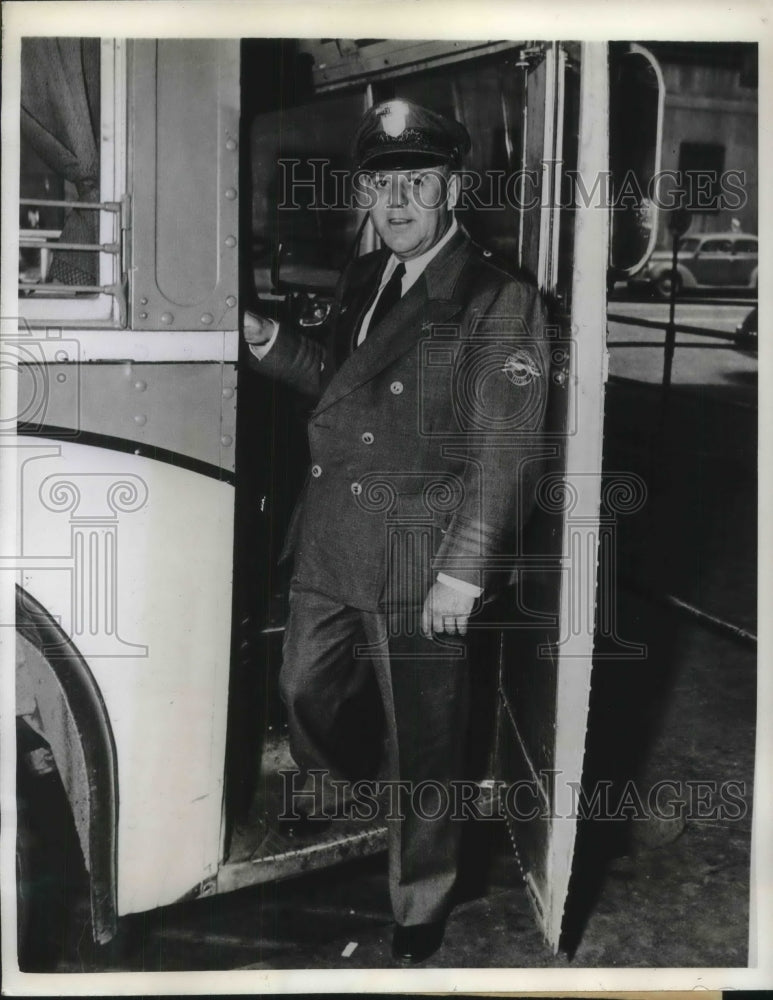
184,137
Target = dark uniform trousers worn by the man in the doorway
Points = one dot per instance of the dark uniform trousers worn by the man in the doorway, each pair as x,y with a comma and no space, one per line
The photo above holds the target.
332,652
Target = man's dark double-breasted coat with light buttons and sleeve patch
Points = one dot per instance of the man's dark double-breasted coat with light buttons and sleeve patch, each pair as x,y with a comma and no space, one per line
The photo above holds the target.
429,430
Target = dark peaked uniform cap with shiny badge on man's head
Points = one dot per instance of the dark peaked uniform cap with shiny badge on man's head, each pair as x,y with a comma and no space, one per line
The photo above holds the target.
402,135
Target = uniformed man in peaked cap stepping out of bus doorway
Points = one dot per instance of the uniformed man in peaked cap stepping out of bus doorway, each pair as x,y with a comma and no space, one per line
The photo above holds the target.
428,398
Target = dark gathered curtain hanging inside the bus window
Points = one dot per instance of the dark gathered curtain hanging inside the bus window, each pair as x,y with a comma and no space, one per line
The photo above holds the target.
60,119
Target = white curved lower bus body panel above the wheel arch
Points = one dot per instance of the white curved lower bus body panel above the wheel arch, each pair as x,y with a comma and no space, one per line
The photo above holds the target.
132,556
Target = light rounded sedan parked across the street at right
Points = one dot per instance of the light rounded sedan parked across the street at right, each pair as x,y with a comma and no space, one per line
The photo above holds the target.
708,261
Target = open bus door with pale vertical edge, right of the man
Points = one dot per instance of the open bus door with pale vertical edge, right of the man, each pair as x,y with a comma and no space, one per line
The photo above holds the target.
548,618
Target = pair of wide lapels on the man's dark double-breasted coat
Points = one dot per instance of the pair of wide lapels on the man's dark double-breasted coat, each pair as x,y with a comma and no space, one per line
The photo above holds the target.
430,300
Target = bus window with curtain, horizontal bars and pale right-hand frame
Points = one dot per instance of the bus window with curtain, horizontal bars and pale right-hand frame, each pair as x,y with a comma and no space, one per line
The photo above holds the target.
71,177
